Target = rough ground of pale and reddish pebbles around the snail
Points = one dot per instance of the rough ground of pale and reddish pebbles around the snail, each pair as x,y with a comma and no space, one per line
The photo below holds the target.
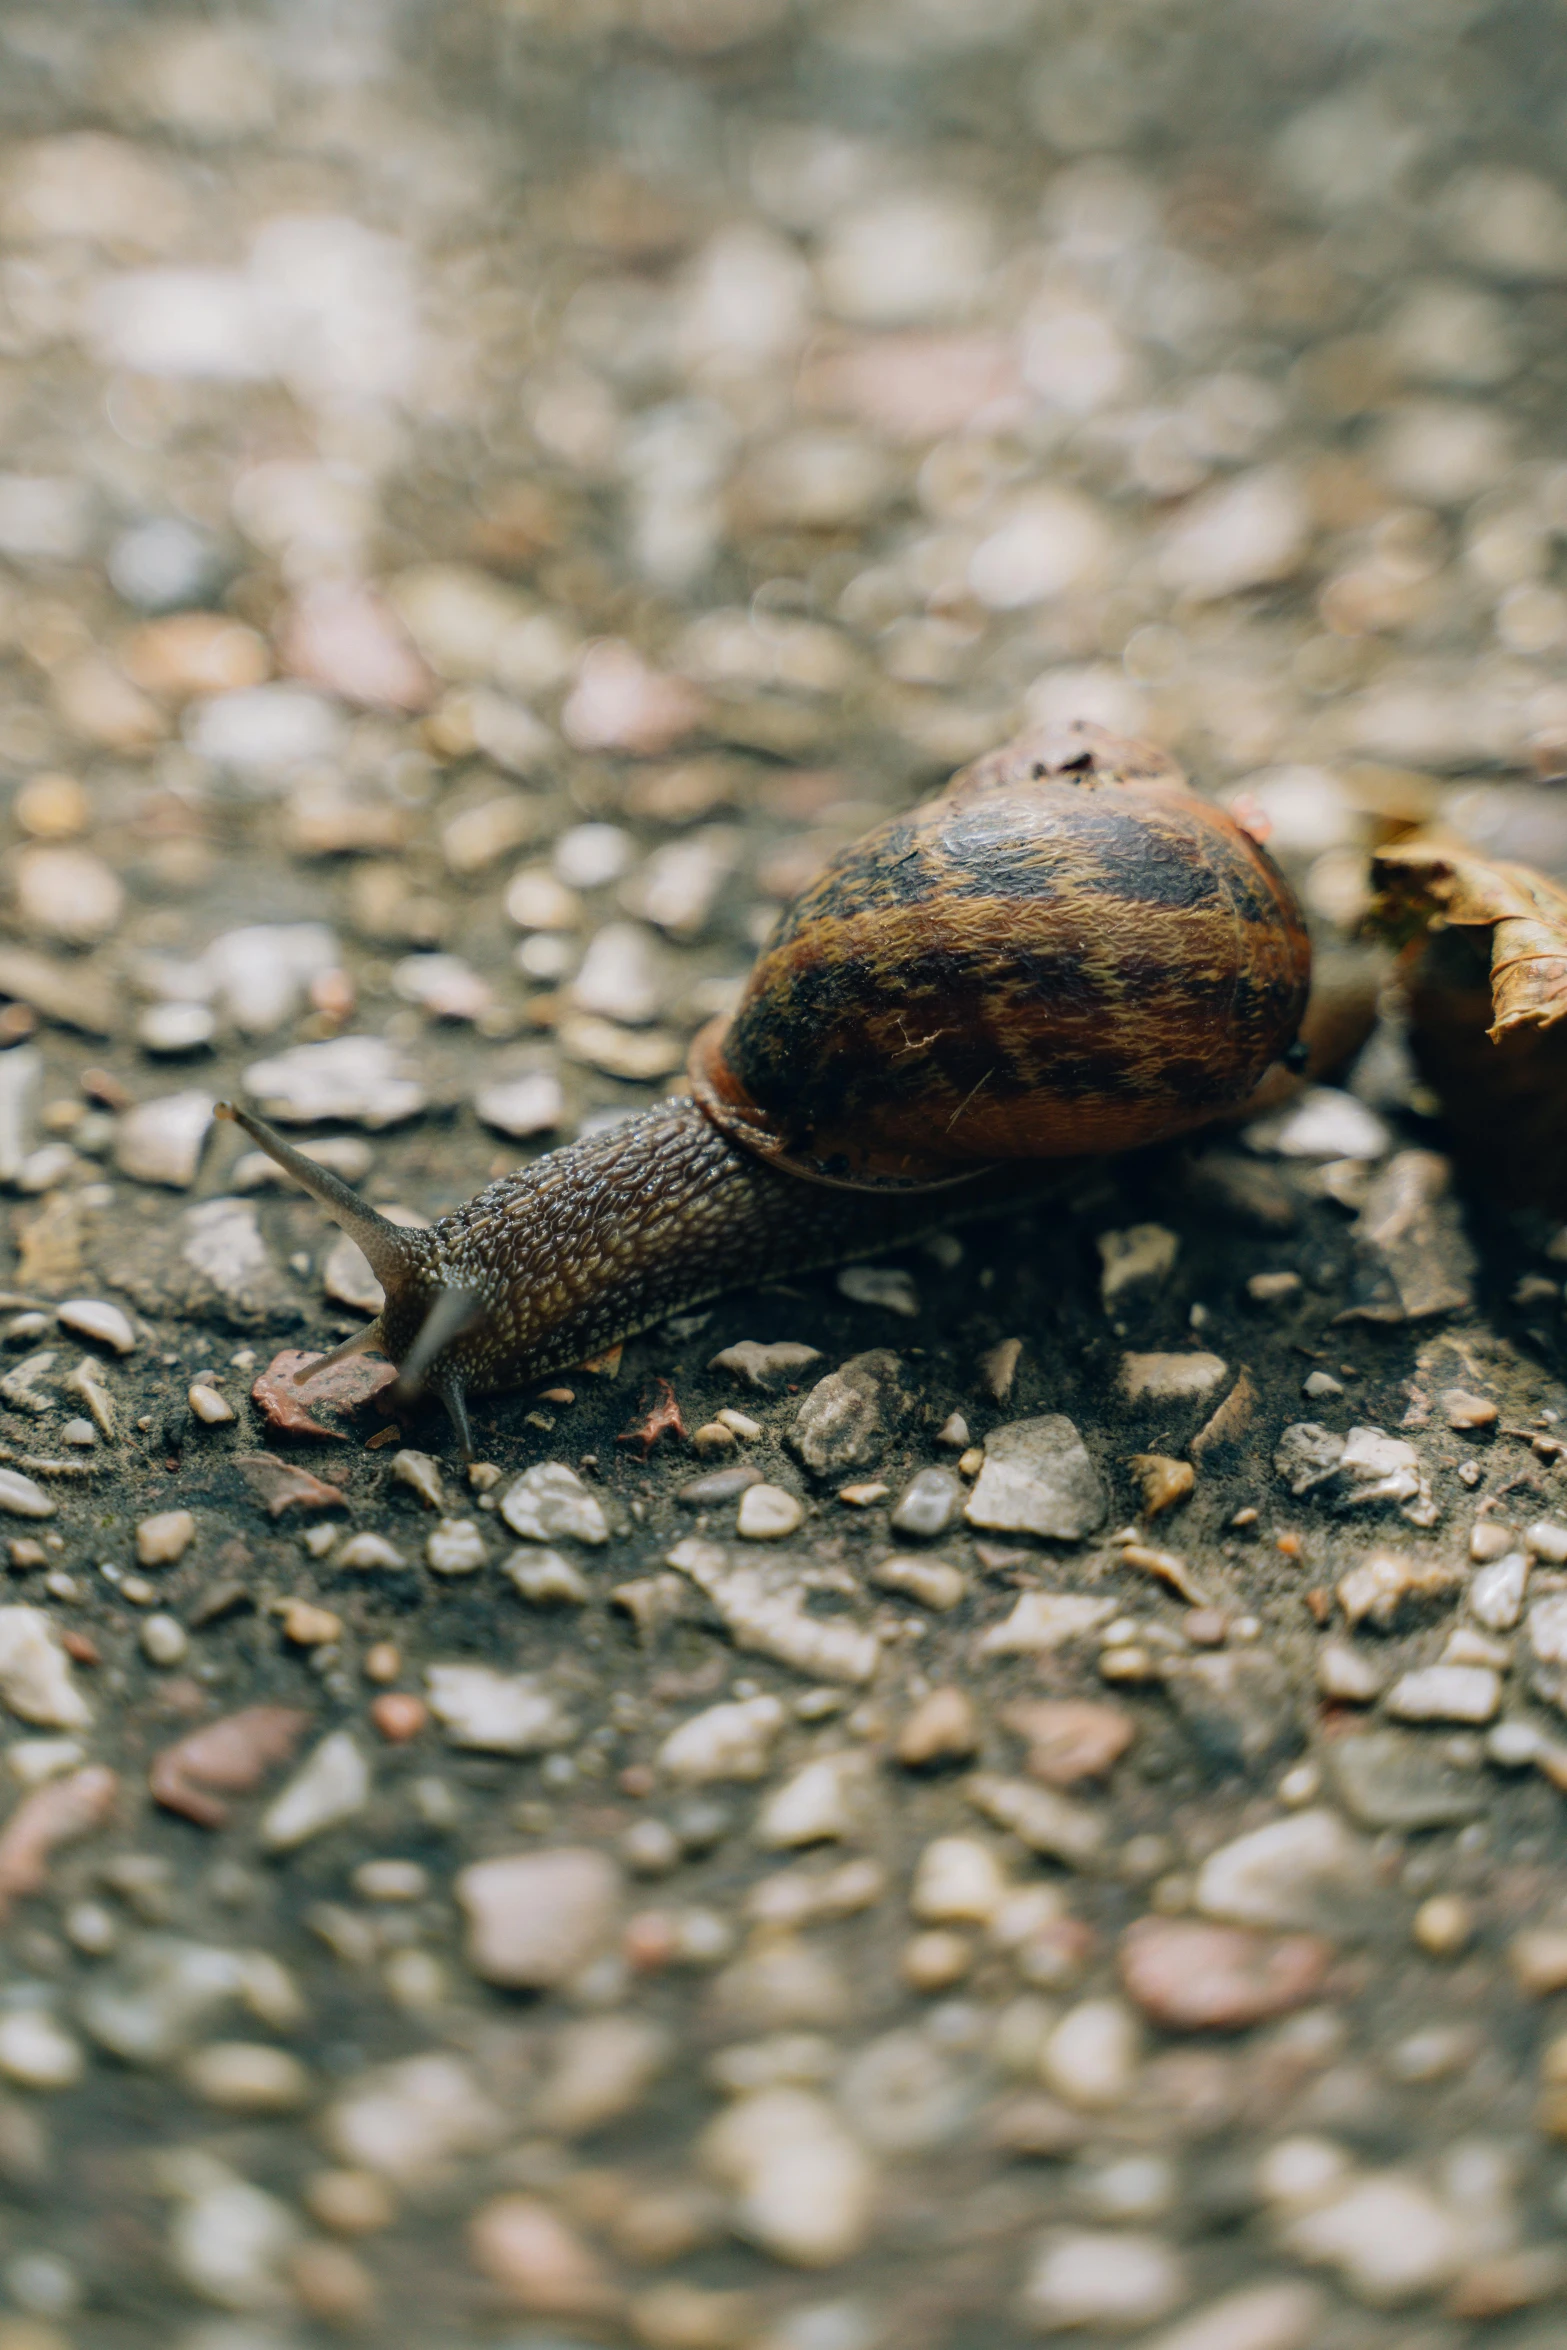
1004,1792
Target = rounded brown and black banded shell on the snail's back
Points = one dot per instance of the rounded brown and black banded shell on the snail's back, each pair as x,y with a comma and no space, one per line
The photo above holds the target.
1065,953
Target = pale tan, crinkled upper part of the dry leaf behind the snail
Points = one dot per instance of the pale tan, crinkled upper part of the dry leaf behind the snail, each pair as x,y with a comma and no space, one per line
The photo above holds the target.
1439,880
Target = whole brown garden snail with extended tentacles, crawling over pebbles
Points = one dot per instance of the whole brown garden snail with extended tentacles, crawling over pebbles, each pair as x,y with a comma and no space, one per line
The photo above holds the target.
1061,955
